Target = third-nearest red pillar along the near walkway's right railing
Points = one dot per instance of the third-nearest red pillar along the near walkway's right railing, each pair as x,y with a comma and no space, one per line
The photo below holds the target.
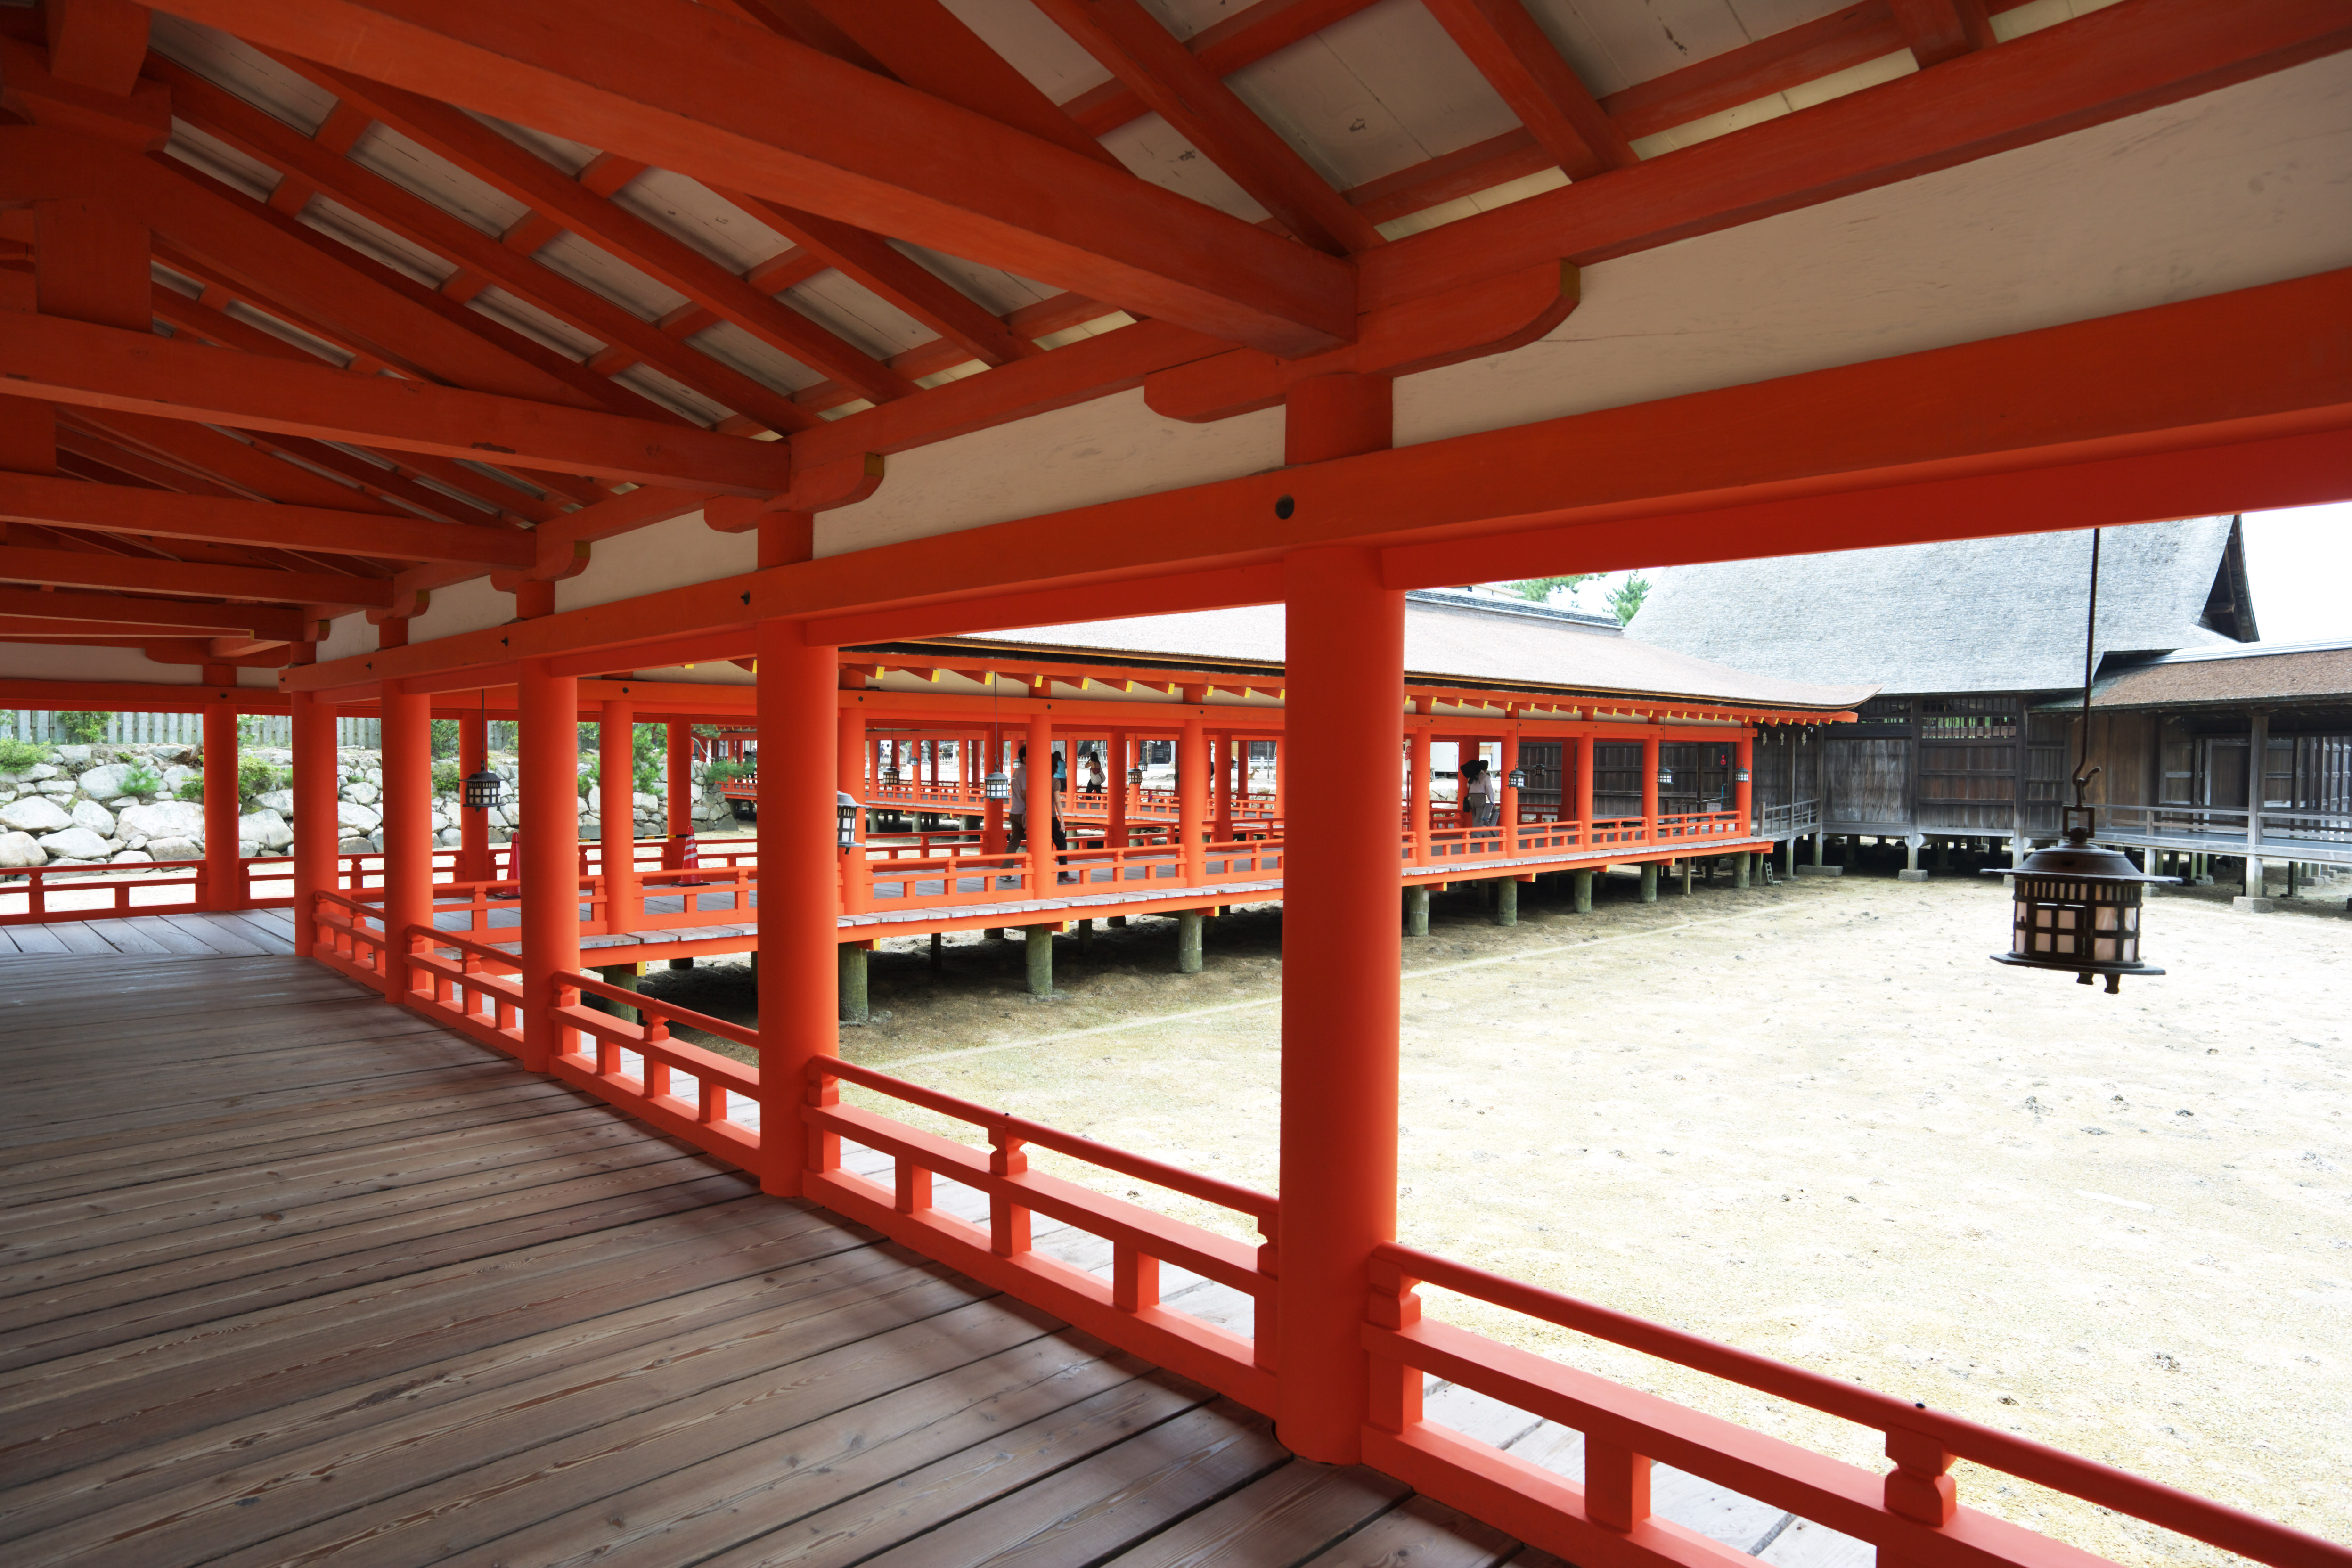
547,716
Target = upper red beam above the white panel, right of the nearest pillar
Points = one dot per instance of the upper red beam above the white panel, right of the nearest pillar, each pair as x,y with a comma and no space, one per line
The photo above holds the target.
2087,72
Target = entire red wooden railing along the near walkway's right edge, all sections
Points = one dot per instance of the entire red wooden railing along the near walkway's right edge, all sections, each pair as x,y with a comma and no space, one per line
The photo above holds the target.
1911,1513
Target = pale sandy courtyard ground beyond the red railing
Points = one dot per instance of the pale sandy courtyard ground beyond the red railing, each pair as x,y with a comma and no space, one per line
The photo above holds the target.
1808,1120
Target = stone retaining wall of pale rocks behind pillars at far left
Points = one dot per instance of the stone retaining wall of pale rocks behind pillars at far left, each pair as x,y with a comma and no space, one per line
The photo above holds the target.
98,805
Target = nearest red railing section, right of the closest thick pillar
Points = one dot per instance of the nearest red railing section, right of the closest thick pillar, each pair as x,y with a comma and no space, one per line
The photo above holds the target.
1911,1513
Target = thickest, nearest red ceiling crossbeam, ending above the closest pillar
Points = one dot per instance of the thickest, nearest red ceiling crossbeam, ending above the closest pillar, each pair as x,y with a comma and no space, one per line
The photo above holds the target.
686,88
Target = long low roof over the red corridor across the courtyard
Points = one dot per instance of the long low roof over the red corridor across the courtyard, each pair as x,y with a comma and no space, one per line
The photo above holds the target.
1452,636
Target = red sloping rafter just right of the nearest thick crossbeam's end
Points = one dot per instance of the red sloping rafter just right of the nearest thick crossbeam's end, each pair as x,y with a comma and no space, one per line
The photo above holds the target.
1191,98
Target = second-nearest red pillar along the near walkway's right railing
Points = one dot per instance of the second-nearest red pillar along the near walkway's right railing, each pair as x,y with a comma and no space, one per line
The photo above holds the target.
801,864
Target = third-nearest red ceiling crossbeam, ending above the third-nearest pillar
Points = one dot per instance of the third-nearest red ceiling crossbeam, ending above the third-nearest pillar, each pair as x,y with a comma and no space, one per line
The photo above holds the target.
156,514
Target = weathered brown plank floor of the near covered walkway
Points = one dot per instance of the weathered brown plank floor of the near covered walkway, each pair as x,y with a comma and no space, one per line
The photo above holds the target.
298,1278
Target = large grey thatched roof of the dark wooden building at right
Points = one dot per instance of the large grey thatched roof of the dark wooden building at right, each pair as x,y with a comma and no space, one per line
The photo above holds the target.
1982,615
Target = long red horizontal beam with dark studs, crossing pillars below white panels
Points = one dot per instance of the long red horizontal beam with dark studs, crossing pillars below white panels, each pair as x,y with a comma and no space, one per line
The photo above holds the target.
2224,403
